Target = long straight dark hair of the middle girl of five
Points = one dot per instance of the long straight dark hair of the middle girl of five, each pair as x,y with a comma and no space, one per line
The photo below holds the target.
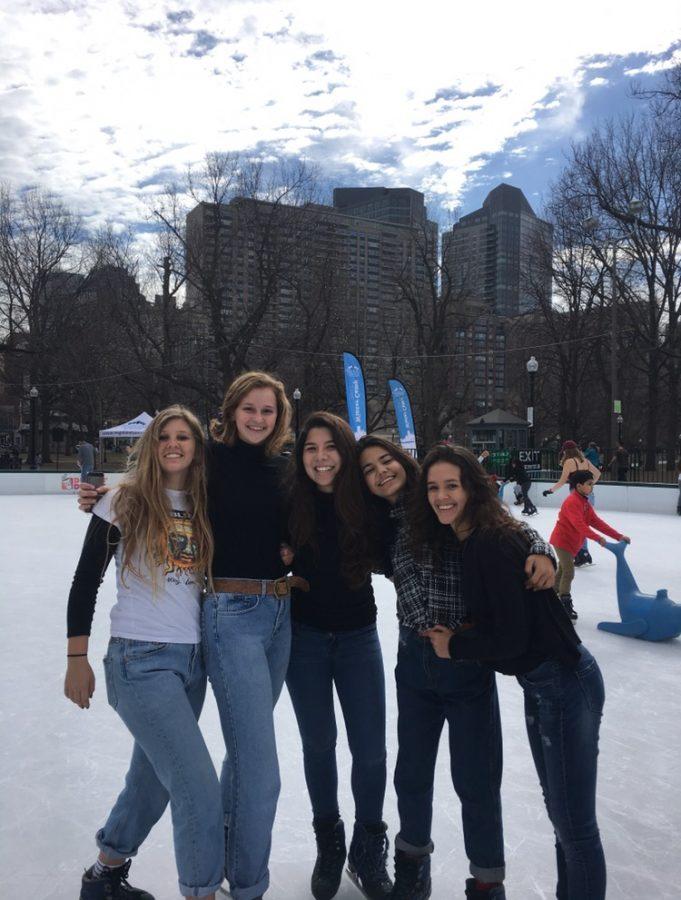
357,546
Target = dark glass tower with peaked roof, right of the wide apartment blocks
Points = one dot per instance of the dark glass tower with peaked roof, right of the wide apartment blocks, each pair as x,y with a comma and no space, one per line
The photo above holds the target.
496,252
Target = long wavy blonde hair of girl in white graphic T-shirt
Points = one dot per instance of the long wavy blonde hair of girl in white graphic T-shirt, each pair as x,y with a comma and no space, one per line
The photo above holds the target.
141,507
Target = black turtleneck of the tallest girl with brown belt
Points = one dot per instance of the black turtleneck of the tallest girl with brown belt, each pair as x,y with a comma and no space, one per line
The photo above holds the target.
245,507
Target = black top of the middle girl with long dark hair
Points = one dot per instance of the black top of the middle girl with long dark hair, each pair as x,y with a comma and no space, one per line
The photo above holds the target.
330,605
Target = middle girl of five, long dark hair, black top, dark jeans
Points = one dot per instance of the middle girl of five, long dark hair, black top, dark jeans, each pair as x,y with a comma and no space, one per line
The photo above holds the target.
335,644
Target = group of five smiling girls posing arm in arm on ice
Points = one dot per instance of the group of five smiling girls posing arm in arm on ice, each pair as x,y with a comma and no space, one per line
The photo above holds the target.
339,514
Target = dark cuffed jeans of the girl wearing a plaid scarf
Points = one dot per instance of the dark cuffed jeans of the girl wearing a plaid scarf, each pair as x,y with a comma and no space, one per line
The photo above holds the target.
431,691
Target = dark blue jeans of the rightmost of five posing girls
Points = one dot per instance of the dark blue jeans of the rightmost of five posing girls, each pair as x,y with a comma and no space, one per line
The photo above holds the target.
563,709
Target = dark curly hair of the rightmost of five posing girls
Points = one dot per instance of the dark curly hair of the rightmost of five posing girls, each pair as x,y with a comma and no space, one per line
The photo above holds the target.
484,510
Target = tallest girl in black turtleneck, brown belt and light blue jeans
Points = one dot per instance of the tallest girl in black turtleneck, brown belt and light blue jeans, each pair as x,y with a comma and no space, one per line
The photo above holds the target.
246,625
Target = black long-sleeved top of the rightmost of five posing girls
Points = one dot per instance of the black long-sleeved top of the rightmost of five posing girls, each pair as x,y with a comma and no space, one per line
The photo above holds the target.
514,629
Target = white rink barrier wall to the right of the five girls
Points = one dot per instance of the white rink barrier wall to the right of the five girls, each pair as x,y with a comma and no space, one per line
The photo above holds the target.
660,499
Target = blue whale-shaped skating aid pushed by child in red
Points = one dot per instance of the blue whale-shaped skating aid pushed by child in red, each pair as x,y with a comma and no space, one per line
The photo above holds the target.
650,617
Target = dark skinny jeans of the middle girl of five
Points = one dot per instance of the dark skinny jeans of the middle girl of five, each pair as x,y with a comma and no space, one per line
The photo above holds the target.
352,661
